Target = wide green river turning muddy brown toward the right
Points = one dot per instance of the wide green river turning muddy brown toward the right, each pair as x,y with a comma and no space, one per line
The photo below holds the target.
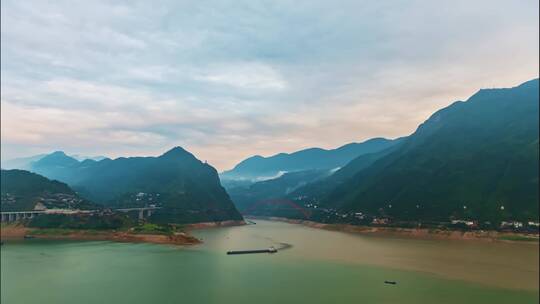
320,267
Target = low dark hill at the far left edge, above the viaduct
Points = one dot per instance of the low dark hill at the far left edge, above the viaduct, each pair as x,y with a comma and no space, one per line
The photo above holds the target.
23,190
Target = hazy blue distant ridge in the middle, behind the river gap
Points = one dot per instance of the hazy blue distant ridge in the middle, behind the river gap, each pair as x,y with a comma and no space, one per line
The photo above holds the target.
258,168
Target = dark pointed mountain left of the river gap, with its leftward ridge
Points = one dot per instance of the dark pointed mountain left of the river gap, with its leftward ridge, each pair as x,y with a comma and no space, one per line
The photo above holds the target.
187,189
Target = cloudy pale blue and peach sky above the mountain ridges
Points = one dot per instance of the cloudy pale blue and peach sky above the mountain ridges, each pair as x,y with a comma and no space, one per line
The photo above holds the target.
230,79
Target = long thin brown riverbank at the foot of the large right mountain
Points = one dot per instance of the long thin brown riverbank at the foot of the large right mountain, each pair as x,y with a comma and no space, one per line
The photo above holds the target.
418,233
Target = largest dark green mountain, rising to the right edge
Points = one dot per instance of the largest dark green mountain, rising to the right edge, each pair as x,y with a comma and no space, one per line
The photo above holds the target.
466,160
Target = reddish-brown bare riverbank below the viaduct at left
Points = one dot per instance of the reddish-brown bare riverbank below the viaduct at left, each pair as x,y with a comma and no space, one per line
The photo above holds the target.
18,232
